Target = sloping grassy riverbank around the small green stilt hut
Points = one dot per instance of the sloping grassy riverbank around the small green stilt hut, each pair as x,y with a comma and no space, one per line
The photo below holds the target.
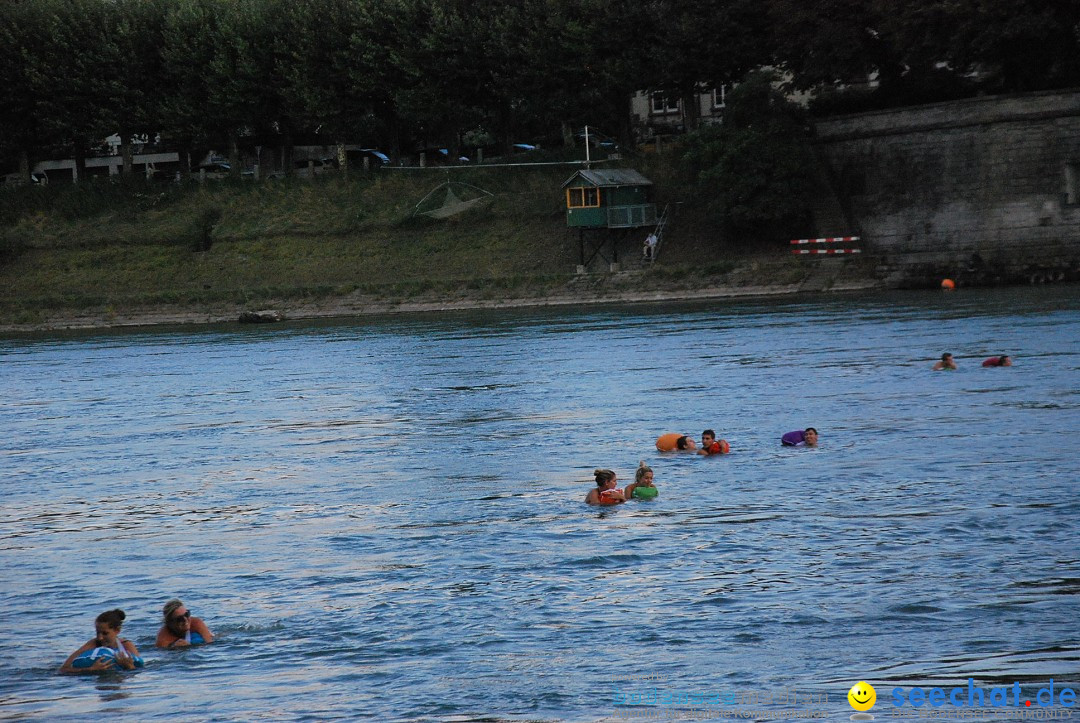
115,253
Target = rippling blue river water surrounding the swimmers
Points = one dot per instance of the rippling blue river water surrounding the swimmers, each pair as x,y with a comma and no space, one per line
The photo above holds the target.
383,518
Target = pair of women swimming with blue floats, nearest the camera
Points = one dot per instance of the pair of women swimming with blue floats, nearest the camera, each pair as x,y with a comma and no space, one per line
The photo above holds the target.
109,651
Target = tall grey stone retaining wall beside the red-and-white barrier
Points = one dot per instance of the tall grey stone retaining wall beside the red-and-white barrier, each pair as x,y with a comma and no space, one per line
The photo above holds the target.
989,188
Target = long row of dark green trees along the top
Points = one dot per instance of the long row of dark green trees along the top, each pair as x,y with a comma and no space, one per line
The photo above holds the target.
400,74
